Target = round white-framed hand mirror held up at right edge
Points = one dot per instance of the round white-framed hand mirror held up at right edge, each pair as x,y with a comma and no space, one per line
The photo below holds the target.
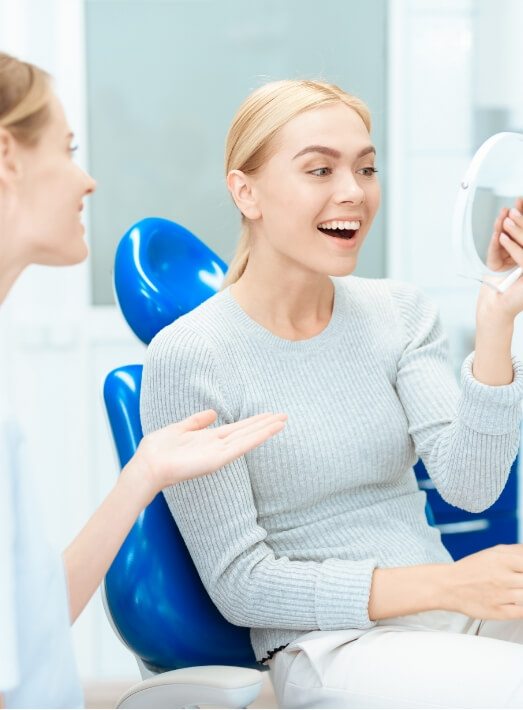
493,183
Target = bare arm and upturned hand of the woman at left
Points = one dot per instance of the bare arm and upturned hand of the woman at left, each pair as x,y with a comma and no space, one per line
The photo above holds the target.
168,456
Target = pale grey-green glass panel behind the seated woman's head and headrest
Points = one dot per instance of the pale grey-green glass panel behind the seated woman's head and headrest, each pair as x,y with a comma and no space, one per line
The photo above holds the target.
165,78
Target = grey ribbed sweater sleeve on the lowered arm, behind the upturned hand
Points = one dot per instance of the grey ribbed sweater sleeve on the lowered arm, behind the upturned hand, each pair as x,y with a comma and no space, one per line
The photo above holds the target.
217,517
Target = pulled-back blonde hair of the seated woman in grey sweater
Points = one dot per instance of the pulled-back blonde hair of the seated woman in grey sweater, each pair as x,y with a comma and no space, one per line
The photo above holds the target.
250,140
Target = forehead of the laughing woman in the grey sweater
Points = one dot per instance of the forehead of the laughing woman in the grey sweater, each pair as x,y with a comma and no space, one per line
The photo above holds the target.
337,126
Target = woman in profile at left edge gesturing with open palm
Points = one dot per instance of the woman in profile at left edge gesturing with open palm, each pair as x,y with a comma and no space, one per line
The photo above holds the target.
41,197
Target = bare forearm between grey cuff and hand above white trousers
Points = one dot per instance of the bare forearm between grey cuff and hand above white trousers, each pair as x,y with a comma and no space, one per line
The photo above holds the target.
399,591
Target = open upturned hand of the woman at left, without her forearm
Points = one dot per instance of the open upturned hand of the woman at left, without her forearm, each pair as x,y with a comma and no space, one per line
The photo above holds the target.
189,448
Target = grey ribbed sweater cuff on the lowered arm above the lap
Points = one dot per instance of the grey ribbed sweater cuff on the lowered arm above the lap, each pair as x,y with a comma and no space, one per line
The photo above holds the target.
342,594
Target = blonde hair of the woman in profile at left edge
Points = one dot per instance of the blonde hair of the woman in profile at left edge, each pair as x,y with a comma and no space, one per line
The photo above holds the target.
25,91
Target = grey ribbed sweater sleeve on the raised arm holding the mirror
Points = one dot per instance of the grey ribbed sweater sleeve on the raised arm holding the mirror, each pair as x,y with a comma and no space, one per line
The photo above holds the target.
467,439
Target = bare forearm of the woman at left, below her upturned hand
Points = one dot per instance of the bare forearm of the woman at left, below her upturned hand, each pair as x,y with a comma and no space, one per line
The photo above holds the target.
91,553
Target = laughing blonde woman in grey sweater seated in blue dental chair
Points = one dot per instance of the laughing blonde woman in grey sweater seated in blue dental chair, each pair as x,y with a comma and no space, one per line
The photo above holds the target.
318,541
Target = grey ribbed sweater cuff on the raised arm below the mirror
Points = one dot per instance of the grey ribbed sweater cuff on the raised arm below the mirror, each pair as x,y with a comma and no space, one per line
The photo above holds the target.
490,409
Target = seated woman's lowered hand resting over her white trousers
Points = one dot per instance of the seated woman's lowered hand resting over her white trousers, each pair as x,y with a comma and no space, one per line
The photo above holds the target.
488,584
